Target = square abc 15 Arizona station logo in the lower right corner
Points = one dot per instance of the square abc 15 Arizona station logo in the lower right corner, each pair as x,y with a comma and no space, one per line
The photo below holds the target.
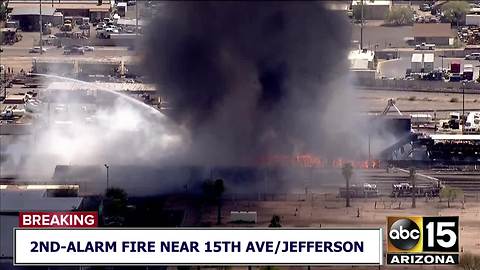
422,240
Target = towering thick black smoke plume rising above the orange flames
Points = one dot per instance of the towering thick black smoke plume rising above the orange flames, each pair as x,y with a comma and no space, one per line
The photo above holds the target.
250,78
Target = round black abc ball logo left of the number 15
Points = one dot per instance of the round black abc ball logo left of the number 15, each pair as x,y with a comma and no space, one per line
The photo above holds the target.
404,234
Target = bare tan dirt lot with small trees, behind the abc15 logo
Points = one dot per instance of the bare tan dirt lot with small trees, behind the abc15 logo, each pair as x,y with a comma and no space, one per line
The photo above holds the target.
325,210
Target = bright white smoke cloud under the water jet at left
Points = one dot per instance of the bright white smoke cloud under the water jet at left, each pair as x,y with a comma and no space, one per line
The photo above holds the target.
73,133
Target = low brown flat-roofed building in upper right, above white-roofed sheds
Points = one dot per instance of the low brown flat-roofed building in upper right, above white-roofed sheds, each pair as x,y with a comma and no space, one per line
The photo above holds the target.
436,33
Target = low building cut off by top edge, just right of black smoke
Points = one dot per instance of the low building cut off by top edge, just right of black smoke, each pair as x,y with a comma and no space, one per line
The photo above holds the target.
372,9
